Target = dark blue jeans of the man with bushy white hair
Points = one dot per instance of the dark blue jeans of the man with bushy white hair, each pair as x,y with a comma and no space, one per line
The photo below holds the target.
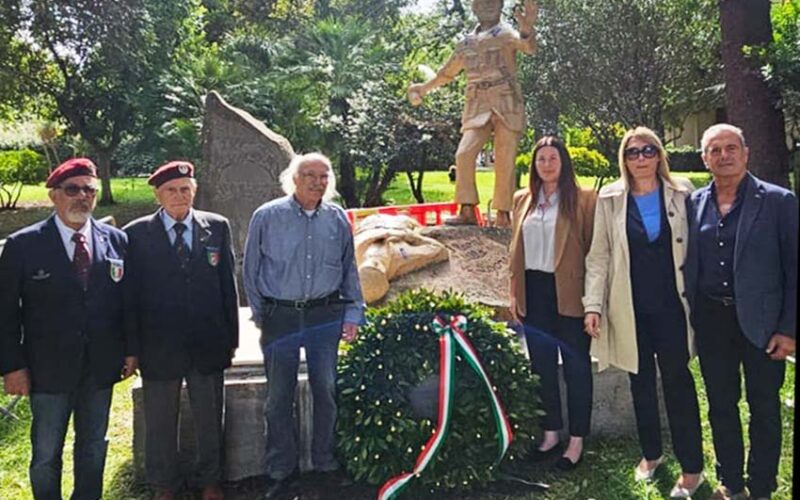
284,331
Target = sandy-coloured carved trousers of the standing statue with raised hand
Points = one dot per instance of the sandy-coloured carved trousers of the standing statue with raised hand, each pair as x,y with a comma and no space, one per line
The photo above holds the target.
505,154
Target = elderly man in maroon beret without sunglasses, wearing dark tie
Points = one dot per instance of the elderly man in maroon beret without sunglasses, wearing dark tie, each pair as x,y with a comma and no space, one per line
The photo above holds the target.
181,304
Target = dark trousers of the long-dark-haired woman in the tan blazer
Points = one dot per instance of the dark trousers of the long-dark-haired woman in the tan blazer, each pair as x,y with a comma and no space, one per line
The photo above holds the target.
547,333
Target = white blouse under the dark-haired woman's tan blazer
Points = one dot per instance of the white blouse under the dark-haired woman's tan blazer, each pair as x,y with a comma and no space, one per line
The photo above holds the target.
539,234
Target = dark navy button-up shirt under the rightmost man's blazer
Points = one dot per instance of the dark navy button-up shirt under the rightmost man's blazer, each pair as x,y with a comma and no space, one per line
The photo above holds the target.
716,244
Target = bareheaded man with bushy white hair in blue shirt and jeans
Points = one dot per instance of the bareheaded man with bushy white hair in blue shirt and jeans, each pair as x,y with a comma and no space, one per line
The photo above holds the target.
301,281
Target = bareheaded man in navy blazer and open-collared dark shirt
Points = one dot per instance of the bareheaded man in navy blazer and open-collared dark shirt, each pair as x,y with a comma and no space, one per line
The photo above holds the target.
741,284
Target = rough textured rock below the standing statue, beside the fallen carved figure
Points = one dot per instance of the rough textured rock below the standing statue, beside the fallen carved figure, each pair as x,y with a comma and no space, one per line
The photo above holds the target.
477,268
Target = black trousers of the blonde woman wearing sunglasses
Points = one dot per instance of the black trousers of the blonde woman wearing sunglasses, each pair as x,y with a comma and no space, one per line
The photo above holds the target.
661,337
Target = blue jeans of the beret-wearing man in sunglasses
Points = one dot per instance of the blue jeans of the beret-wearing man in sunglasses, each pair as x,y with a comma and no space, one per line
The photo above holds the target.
89,406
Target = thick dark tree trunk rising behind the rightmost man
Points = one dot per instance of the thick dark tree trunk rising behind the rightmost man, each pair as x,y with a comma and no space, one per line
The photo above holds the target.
751,104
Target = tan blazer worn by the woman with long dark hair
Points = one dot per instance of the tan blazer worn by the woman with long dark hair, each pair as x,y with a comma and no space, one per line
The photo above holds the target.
572,240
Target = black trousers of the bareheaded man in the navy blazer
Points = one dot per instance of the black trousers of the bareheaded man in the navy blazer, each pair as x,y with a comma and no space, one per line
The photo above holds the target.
723,350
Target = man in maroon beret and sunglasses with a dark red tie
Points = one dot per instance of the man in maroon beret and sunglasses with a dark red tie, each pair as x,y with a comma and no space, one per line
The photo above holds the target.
62,341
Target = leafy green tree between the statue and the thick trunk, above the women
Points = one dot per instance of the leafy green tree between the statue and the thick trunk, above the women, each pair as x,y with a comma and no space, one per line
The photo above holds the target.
602,65
